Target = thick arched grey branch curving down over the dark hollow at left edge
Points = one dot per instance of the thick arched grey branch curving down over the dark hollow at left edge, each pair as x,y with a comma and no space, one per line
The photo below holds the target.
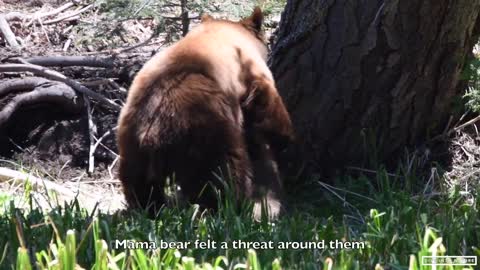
48,92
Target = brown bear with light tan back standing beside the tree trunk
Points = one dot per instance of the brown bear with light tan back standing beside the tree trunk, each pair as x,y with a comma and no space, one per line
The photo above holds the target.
209,101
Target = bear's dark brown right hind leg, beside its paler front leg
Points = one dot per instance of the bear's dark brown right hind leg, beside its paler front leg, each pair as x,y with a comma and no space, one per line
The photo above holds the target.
219,156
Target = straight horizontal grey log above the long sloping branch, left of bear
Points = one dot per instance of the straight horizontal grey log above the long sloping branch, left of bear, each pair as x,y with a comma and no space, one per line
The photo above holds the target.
67,61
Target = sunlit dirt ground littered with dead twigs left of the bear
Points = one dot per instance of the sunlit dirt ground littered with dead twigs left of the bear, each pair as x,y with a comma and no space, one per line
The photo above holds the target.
46,142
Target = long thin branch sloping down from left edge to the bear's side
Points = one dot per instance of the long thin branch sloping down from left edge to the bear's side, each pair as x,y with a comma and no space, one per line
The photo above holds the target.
57,76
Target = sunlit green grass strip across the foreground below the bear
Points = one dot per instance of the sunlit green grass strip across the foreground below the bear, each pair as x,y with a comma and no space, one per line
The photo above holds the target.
396,225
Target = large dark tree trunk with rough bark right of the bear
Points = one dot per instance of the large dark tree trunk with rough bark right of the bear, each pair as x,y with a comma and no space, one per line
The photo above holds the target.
370,78
